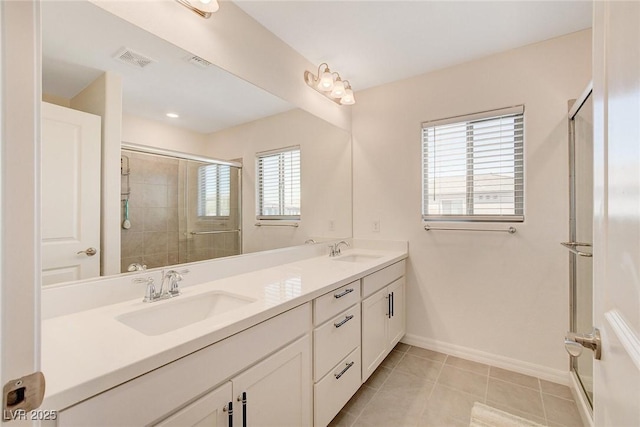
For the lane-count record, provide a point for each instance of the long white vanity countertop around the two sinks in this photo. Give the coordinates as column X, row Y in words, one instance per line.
column 90, row 351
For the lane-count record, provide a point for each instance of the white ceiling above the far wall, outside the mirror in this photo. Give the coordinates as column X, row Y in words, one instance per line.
column 376, row 42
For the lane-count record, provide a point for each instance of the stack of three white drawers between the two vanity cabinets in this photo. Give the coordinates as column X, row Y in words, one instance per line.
column 336, row 360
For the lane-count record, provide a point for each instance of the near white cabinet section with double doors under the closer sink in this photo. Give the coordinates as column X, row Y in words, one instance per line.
column 270, row 362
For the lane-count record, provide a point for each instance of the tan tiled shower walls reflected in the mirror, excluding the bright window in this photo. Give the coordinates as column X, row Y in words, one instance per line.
column 162, row 206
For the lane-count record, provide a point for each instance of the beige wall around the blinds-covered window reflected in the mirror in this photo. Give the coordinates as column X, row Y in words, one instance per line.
column 325, row 158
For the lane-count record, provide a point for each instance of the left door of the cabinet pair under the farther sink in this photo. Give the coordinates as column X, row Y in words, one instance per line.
column 375, row 319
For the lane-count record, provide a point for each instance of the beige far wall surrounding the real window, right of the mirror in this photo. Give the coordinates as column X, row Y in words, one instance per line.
column 488, row 296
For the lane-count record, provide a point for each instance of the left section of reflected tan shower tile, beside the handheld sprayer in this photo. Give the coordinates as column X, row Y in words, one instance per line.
column 153, row 238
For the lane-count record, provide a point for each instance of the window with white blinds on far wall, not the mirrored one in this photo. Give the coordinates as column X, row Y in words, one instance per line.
column 472, row 167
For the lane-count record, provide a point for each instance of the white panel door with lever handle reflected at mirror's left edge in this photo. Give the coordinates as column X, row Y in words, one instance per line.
column 70, row 194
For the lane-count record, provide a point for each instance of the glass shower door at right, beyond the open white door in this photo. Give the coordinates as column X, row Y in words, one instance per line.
column 581, row 264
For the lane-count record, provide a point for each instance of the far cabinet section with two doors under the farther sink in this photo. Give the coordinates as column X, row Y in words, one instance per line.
column 383, row 315
